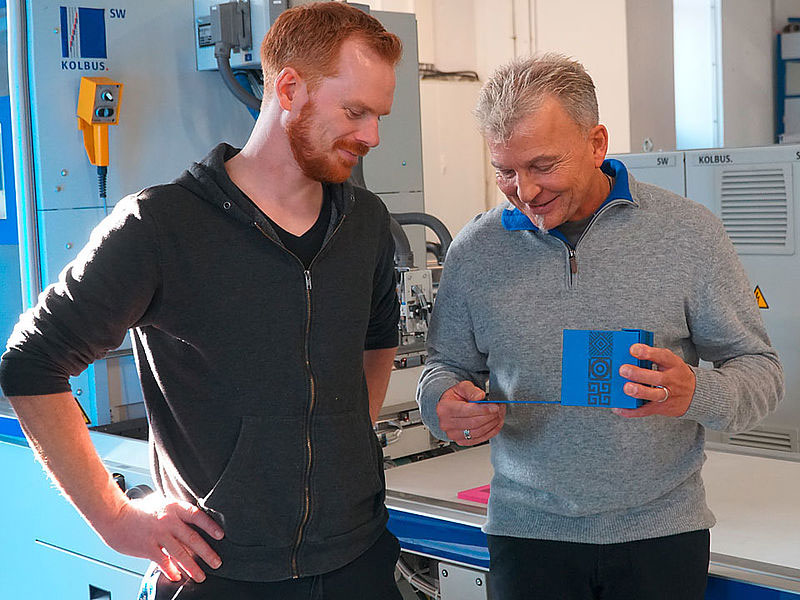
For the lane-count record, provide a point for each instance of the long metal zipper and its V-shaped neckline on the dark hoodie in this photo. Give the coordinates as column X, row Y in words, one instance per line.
column 313, row 395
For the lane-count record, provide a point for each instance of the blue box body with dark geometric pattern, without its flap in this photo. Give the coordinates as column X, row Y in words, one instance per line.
column 590, row 363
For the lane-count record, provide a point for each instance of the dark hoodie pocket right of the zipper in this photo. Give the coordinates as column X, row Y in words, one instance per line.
column 349, row 463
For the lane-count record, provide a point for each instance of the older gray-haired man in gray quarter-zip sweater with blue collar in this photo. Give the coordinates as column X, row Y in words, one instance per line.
column 590, row 503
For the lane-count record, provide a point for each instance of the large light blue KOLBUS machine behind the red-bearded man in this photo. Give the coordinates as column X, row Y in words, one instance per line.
column 72, row 61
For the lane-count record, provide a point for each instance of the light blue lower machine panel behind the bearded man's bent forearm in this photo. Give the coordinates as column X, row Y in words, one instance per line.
column 73, row 562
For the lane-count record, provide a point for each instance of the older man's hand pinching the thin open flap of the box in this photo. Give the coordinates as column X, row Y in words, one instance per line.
column 458, row 414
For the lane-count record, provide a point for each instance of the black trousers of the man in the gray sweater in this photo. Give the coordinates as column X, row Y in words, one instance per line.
column 667, row 568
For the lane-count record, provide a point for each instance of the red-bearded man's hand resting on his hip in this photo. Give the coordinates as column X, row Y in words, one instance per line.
column 163, row 535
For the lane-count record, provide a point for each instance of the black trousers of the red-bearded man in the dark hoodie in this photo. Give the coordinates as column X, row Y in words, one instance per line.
column 370, row 576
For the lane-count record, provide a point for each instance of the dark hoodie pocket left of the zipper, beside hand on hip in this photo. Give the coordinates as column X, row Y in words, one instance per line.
column 255, row 500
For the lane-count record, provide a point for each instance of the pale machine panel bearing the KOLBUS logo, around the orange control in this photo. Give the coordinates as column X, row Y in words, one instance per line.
column 170, row 114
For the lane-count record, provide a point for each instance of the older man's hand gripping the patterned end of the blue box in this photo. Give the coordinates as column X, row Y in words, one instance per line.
column 674, row 378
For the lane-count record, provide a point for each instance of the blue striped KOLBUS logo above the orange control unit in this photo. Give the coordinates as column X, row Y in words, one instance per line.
column 83, row 39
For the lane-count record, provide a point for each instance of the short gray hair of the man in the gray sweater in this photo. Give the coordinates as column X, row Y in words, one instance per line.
column 519, row 88
